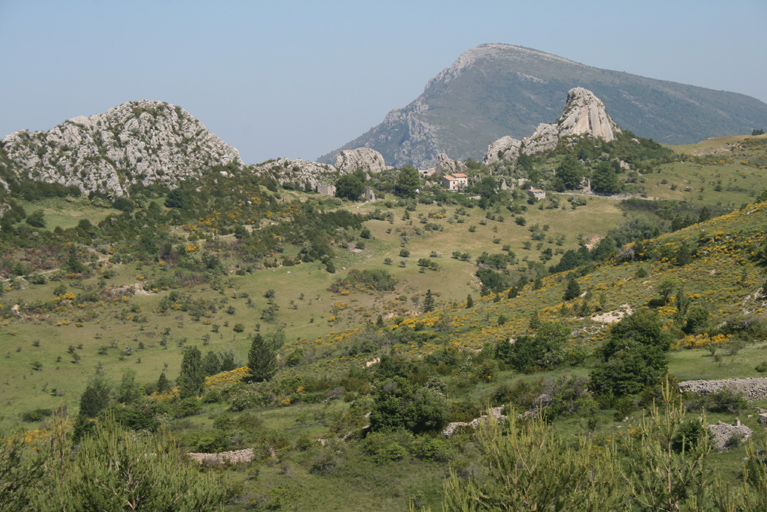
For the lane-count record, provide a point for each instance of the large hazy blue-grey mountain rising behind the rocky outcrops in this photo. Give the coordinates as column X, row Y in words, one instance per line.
column 495, row 90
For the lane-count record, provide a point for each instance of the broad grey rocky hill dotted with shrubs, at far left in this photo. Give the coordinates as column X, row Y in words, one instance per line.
column 143, row 142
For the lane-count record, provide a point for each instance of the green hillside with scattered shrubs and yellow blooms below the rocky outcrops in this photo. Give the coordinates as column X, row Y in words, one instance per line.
column 367, row 302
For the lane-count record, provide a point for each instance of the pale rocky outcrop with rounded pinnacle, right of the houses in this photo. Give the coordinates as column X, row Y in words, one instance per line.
column 584, row 115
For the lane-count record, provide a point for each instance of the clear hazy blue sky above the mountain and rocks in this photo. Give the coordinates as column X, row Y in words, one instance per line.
column 301, row 78
